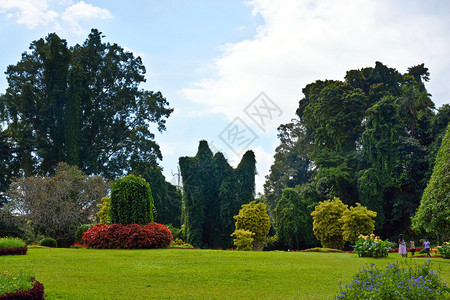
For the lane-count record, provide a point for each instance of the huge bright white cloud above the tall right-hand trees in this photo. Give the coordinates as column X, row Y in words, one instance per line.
column 302, row 41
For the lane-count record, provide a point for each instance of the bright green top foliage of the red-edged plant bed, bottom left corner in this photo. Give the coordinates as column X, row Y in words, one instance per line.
column 12, row 283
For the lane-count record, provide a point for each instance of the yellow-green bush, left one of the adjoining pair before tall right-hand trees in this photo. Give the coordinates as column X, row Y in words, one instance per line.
column 326, row 225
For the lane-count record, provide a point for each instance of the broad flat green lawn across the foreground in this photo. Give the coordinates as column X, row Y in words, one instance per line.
column 193, row 274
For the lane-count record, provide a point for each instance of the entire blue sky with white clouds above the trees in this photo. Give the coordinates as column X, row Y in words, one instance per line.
column 234, row 70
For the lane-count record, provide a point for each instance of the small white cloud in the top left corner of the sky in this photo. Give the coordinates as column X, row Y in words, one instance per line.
column 55, row 15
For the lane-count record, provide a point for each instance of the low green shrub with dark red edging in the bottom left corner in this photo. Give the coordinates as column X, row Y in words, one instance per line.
column 20, row 286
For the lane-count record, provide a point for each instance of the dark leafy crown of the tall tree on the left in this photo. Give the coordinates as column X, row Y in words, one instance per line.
column 81, row 105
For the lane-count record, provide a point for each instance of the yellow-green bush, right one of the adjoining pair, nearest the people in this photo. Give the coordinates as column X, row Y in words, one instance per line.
column 356, row 221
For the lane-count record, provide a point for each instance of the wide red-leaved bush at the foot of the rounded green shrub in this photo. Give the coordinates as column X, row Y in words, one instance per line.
column 132, row 236
